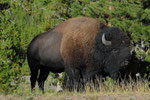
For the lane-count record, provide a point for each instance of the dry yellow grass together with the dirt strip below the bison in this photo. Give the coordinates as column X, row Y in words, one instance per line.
column 107, row 90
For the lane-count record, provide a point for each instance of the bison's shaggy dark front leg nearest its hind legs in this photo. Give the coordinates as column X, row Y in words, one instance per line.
column 72, row 79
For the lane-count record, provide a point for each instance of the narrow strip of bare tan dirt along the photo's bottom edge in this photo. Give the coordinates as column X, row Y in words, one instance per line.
column 145, row 96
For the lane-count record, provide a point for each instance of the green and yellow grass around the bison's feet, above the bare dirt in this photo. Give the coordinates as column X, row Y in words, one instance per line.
column 105, row 89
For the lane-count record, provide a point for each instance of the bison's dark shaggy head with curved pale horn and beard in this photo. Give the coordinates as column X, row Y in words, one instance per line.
column 112, row 47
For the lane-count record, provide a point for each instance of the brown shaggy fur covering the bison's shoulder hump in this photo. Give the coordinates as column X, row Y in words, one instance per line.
column 78, row 38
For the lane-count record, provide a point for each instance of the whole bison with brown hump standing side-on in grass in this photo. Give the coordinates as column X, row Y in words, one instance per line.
column 82, row 48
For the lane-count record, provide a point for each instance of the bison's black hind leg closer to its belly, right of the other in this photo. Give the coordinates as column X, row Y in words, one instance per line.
column 42, row 77
